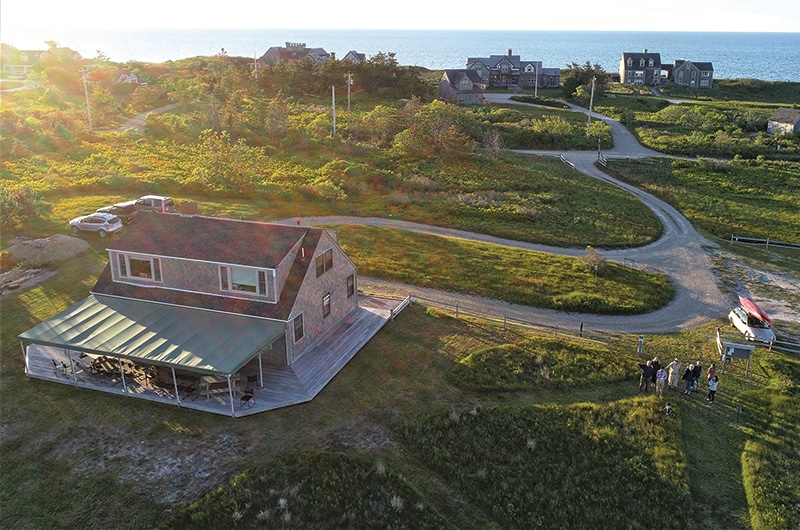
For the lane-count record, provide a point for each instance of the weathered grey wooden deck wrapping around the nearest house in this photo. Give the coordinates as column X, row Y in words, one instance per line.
column 283, row 386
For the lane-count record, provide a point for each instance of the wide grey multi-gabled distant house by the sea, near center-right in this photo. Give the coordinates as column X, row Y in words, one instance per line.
column 510, row 71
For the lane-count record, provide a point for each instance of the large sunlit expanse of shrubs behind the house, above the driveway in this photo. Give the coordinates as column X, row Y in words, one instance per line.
column 235, row 139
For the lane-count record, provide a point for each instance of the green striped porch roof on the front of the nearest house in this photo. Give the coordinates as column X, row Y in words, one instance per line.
column 180, row 337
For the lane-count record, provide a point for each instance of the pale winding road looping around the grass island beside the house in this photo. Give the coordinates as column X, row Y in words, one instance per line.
column 681, row 253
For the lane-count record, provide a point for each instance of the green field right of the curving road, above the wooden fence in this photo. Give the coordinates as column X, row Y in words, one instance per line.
column 750, row 198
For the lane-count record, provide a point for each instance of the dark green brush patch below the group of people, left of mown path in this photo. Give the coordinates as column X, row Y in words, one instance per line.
column 576, row 466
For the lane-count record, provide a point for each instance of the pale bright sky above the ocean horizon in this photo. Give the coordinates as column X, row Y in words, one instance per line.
column 613, row 15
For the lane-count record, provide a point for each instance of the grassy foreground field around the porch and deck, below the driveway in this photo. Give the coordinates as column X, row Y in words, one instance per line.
column 433, row 425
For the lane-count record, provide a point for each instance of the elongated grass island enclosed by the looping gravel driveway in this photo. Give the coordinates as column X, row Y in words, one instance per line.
column 503, row 273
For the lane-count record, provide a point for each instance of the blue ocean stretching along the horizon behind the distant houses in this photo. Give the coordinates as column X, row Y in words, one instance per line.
column 766, row 56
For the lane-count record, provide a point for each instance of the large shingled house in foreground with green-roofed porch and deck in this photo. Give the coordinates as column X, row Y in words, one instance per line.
column 199, row 312
